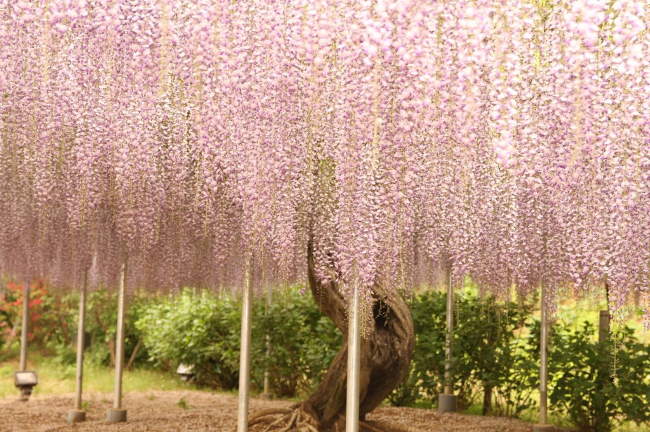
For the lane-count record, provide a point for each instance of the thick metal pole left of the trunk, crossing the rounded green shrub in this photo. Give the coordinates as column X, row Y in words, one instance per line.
column 245, row 354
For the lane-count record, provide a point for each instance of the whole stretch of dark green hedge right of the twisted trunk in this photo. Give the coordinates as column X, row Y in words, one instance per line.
column 597, row 386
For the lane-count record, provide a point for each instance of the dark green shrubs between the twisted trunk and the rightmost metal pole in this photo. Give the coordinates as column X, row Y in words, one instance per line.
column 487, row 353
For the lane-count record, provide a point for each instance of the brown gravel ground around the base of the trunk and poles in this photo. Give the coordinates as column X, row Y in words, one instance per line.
column 201, row 411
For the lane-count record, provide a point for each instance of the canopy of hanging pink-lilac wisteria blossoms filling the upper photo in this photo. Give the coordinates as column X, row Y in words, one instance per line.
column 504, row 140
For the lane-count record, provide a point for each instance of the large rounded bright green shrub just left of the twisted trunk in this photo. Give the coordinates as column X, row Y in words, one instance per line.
column 203, row 330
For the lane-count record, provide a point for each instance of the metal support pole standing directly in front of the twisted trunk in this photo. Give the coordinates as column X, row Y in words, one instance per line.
column 354, row 364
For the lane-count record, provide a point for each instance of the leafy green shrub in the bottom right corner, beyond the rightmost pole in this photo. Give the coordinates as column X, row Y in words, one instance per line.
column 599, row 384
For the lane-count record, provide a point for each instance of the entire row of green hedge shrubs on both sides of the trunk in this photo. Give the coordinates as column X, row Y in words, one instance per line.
column 496, row 351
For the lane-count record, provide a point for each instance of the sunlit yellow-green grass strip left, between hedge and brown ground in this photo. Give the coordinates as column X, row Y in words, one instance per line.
column 54, row 378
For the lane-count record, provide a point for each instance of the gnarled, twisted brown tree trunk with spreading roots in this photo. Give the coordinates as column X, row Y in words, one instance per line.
column 386, row 351
